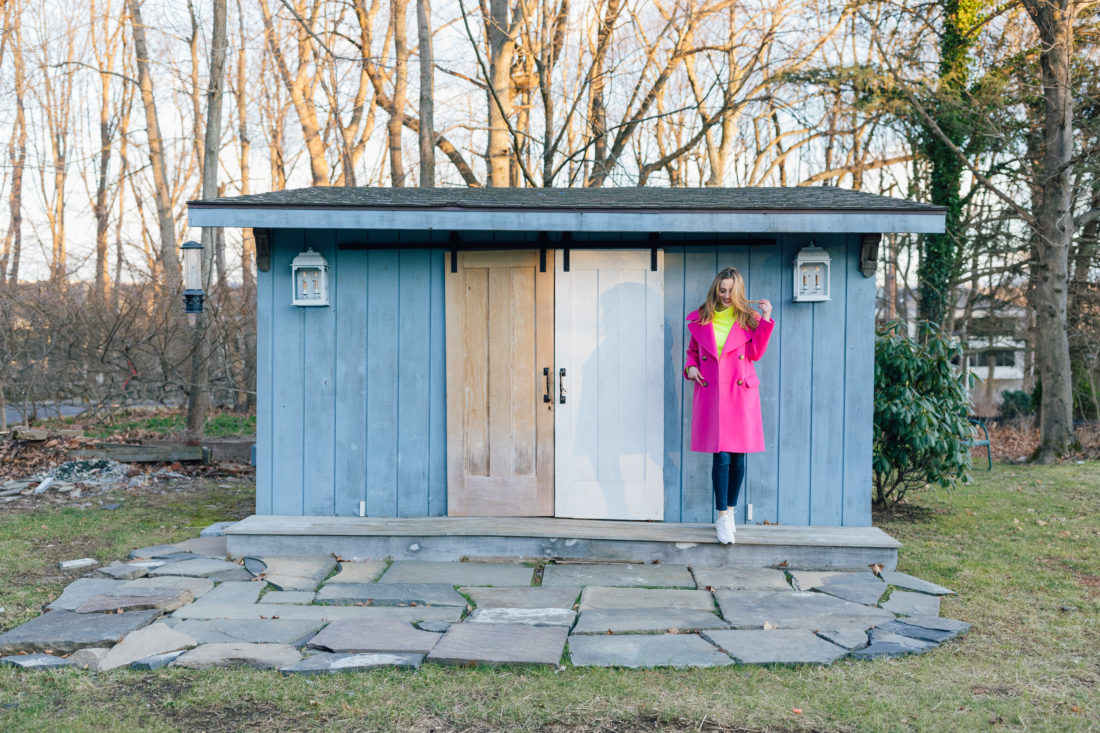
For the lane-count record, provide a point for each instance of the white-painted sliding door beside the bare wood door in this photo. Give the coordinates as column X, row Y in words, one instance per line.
column 610, row 321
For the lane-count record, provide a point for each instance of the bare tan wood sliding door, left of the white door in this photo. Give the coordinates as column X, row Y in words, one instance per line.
column 500, row 410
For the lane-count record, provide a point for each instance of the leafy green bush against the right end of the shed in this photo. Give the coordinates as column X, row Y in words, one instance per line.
column 921, row 409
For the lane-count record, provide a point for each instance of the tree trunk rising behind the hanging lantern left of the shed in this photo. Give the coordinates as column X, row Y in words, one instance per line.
column 199, row 397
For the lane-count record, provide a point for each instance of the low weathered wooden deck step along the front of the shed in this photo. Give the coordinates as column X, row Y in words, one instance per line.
column 546, row 539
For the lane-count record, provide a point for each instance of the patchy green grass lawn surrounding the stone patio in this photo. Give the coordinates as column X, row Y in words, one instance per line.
column 1019, row 546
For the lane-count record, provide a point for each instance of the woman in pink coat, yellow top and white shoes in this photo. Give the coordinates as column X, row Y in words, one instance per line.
column 727, row 337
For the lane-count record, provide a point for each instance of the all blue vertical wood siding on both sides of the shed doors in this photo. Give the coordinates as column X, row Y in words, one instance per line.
column 351, row 399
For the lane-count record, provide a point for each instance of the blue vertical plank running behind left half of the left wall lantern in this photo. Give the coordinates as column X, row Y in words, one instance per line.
column 288, row 417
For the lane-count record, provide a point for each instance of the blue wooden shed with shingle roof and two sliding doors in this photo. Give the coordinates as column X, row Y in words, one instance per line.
column 520, row 353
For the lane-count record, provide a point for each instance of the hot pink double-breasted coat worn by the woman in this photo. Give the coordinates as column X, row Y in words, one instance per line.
column 727, row 412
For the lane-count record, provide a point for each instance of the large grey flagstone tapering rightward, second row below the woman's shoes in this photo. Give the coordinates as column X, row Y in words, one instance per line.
column 797, row 610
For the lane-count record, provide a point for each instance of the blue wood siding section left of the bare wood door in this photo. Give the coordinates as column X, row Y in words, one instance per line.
column 351, row 398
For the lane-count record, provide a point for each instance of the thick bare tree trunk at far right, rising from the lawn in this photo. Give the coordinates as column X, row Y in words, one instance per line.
column 1054, row 19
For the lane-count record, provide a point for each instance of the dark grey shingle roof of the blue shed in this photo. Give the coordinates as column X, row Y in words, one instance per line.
column 592, row 200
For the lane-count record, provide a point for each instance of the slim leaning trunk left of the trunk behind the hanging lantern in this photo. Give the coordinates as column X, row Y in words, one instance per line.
column 170, row 262
